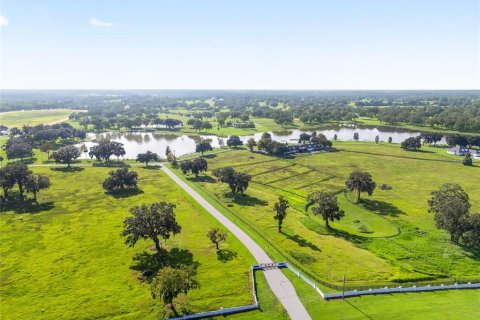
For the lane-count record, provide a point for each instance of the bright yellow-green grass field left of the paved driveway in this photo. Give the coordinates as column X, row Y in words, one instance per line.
column 68, row 261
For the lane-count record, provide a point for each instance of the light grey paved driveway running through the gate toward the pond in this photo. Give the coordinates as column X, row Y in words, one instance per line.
column 278, row 282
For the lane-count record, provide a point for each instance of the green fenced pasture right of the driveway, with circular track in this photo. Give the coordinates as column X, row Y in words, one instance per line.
column 399, row 241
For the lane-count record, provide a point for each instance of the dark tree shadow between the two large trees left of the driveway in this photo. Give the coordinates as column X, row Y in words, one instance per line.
column 150, row 263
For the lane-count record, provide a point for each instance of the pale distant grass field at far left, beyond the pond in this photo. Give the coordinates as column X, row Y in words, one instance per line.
column 34, row 117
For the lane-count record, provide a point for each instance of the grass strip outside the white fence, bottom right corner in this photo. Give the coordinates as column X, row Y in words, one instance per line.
column 448, row 305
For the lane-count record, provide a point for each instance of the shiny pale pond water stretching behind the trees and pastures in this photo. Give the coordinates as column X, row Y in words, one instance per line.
column 140, row 142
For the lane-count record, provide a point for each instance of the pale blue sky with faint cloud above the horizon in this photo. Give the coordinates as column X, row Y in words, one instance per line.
column 214, row 44
